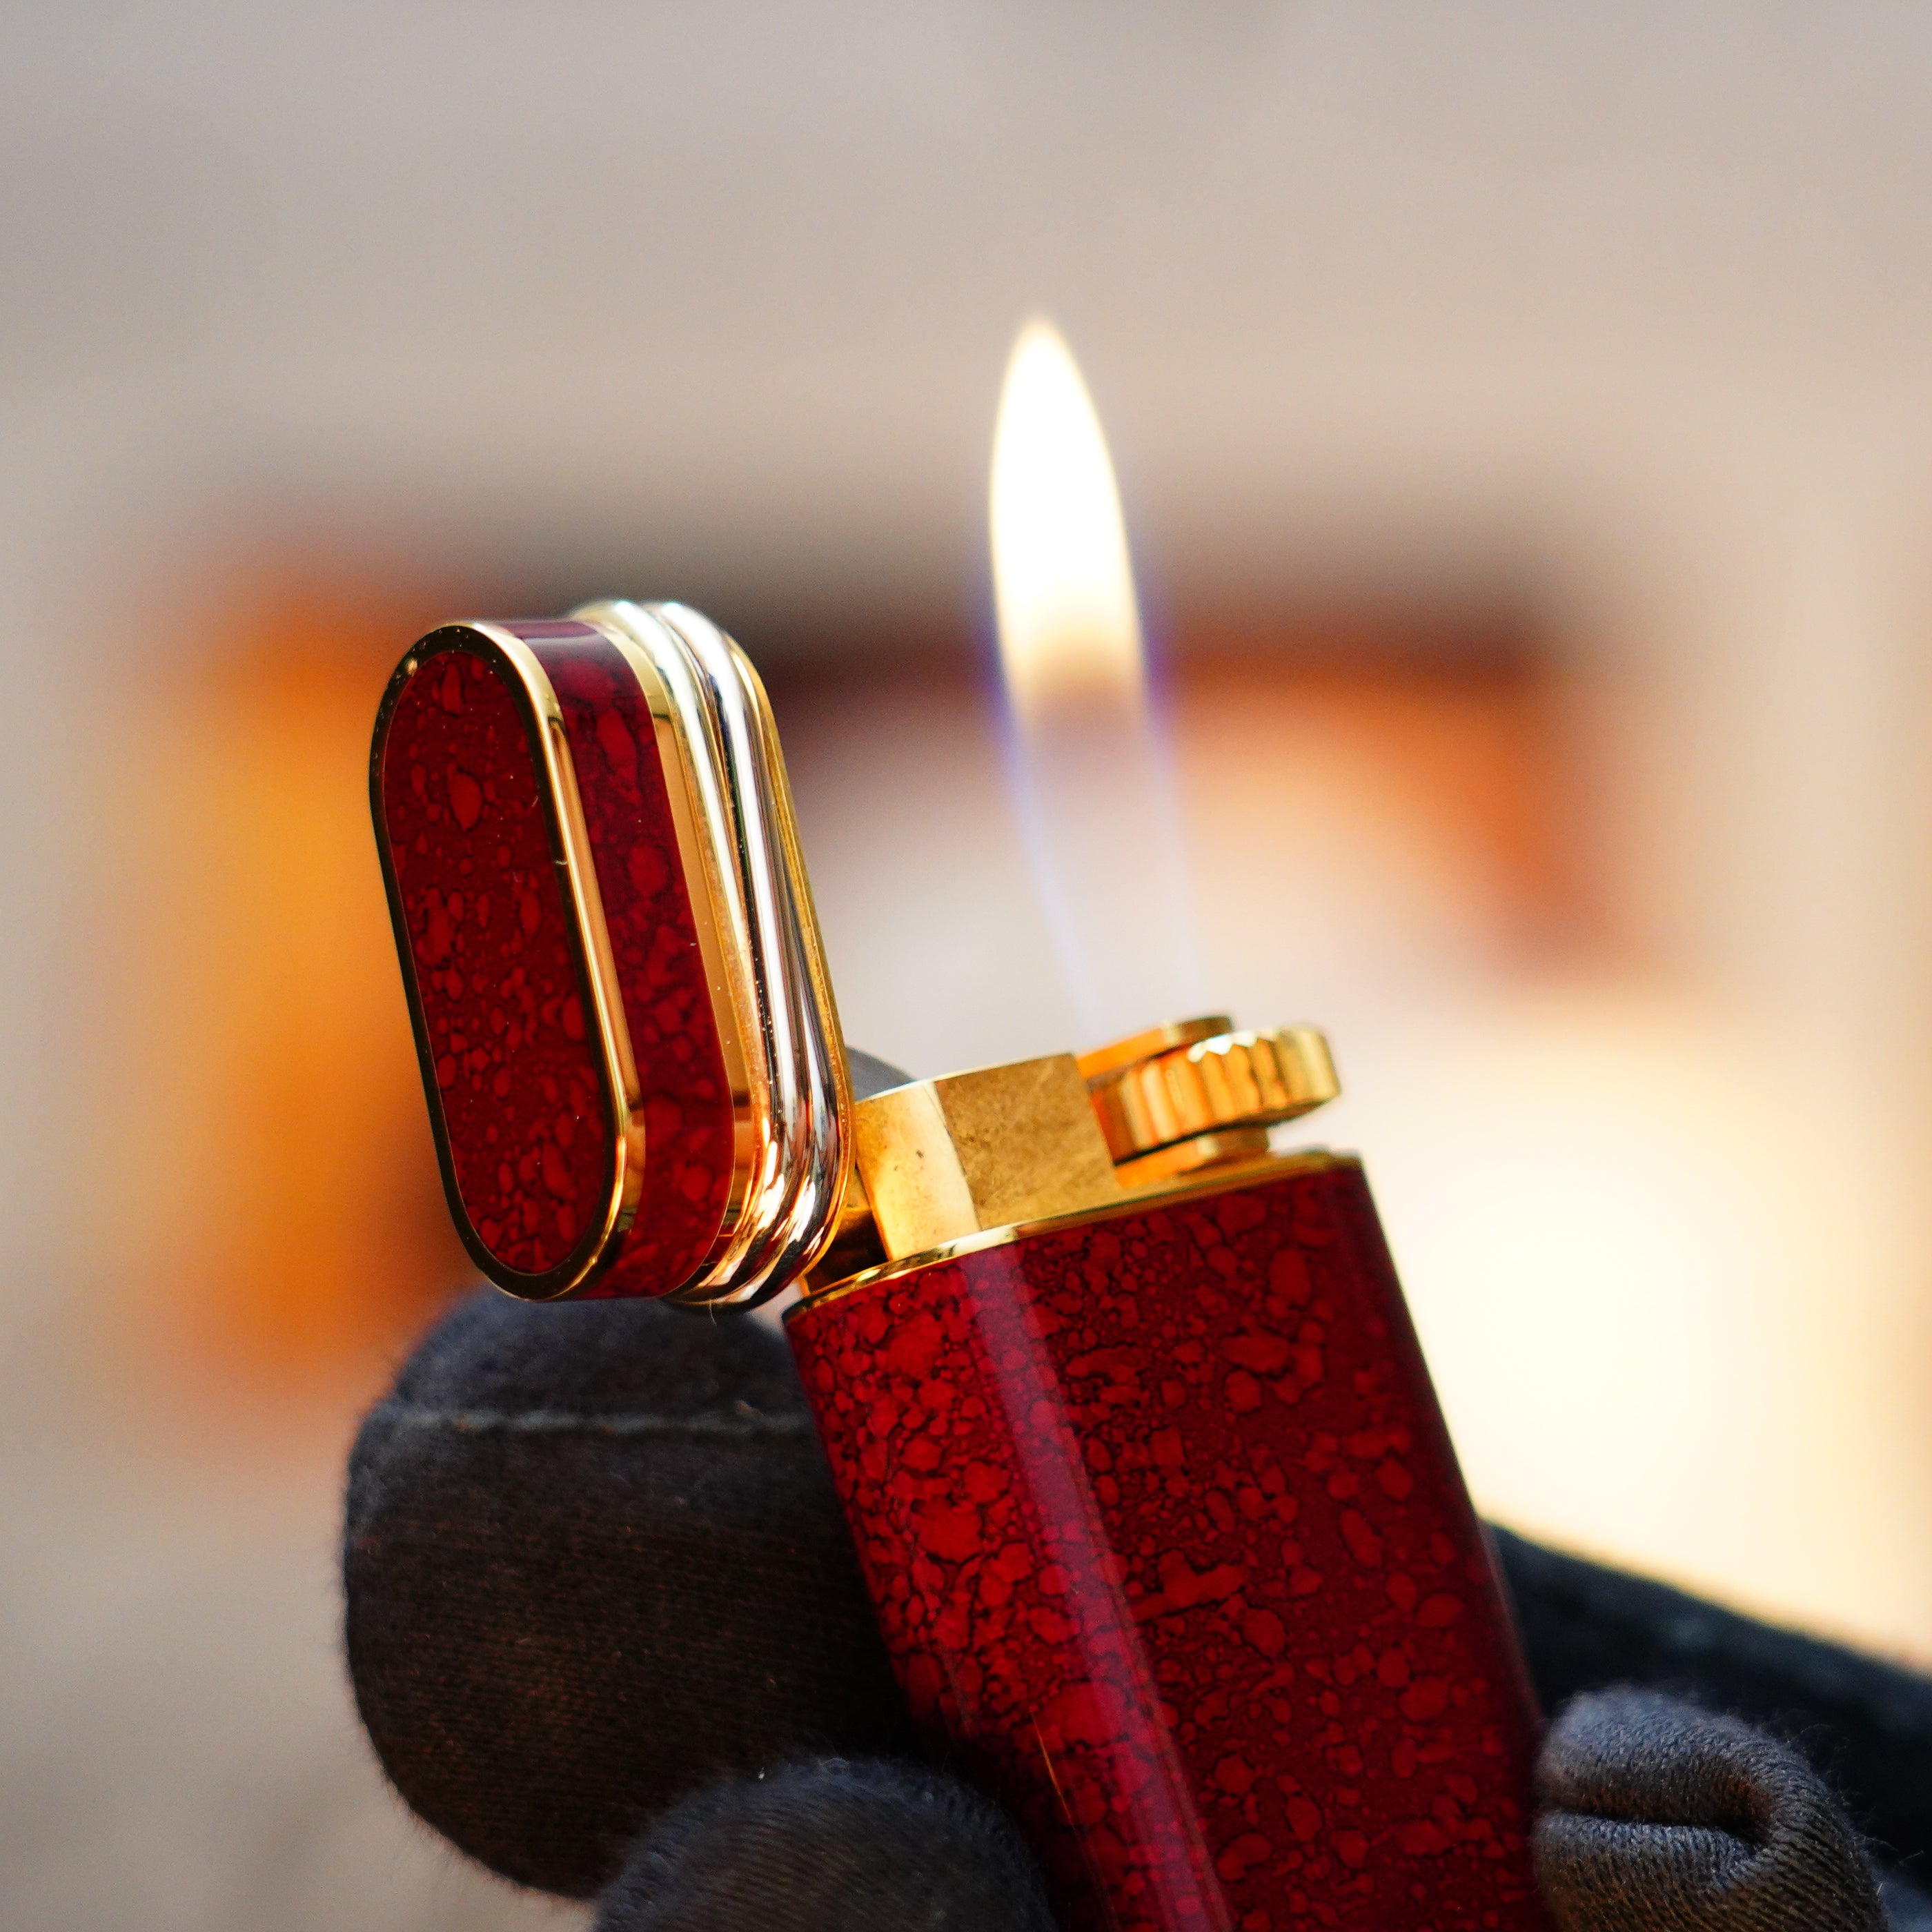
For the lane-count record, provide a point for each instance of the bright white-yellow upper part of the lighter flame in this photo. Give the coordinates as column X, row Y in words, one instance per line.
column 1069, row 631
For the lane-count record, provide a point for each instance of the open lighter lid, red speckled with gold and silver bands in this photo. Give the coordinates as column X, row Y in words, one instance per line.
column 621, row 1006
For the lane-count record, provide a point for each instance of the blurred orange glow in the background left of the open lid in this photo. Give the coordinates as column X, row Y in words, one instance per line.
column 285, row 1226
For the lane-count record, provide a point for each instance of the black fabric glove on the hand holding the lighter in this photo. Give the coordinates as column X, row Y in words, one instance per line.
column 608, row 1635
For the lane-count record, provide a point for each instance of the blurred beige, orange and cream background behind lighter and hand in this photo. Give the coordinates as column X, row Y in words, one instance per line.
column 1525, row 422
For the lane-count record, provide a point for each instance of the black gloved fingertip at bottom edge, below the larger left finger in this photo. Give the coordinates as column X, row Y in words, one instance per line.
column 830, row 1848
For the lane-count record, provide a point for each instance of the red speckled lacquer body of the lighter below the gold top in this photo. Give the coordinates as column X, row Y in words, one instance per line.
column 1170, row 1541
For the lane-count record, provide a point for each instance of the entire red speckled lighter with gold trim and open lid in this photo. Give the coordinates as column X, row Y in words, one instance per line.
column 1131, row 1429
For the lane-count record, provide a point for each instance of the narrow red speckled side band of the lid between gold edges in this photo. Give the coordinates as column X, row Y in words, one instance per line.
column 654, row 942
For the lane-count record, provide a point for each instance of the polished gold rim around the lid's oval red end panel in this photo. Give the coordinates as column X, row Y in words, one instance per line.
column 590, row 946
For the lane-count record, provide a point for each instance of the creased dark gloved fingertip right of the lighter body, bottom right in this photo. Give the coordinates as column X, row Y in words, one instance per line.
column 1661, row 1817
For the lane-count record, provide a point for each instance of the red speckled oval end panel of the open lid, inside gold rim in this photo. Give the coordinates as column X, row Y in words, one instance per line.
column 517, row 1079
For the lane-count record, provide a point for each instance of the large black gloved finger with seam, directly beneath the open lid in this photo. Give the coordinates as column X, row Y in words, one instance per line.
column 594, row 1562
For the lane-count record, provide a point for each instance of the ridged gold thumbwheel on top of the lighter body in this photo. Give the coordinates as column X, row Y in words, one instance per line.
column 1203, row 1093
